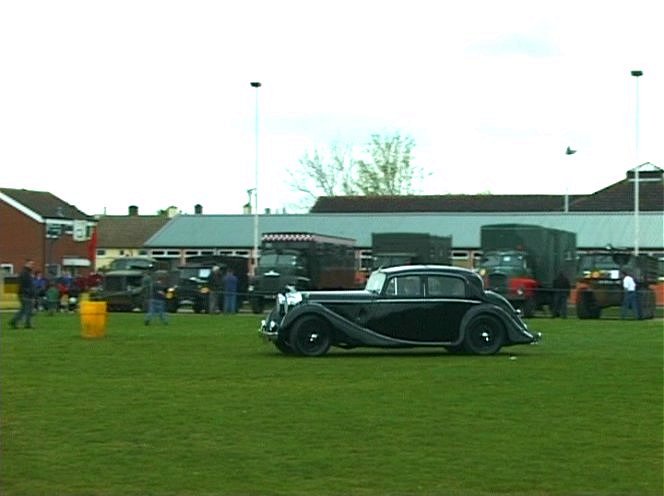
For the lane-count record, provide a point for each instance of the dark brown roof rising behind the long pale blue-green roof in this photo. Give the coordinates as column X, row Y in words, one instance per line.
column 618, row 197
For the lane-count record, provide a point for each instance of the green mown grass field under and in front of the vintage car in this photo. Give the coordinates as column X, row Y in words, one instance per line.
column 203, row 407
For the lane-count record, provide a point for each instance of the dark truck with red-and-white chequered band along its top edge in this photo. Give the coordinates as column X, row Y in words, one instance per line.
column 302, row 260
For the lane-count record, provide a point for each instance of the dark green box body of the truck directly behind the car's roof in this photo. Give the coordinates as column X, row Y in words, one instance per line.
column 409, row 248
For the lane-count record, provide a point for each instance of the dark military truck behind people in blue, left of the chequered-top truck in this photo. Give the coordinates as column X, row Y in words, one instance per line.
column 191, row 286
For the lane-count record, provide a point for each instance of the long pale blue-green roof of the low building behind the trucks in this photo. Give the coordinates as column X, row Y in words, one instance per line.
column 593, row 229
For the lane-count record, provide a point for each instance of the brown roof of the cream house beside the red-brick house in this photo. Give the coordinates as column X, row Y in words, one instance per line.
column 127, row 231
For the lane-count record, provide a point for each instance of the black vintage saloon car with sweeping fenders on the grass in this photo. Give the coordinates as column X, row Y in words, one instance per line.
column 400, row 307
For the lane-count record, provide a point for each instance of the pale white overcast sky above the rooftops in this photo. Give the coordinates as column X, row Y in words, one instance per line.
column 148, row 103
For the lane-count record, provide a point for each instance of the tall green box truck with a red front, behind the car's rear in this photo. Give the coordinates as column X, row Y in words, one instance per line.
column 521, row 262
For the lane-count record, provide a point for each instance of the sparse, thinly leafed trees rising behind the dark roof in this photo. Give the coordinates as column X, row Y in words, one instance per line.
column 385, row 169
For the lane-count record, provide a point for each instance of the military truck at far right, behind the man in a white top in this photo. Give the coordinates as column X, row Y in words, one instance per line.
column 599, row 281
